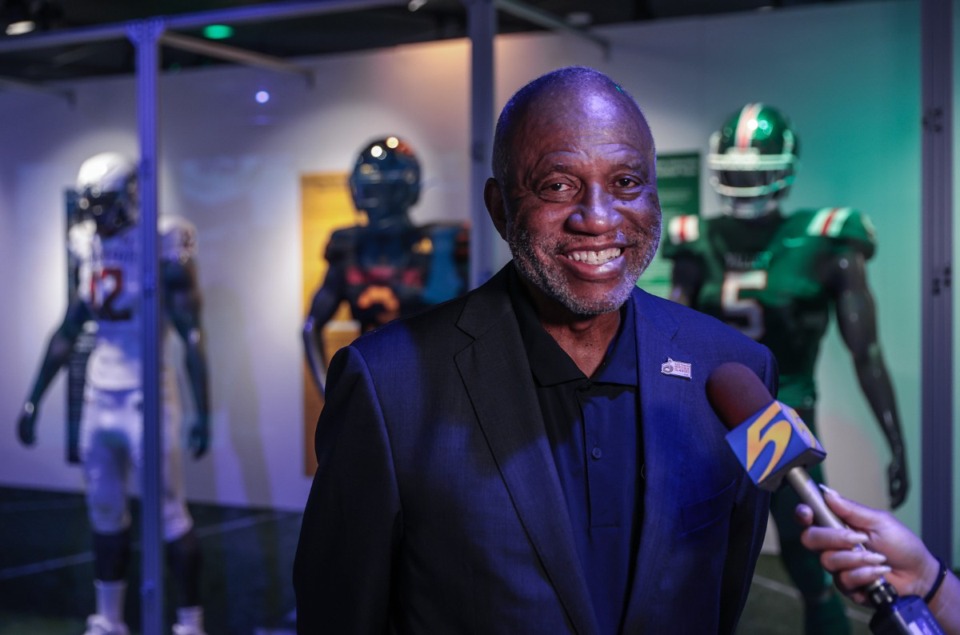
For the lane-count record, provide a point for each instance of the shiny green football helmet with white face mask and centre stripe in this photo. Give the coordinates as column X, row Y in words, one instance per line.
column 753, row 160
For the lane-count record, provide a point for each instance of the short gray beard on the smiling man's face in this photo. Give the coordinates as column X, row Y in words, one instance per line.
column 552, row 283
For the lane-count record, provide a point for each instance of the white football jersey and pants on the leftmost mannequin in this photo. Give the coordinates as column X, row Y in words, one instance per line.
column 111, row 428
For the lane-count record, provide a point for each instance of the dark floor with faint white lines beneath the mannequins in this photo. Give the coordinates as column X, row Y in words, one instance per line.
column 46, row 571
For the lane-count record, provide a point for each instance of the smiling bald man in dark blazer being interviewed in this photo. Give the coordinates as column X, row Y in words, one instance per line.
column 539, row 456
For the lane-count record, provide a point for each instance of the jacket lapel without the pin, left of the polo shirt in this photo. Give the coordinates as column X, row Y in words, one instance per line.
column 501, row 389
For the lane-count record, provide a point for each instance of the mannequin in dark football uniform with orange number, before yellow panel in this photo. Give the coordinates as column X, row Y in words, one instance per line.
column 387, row 267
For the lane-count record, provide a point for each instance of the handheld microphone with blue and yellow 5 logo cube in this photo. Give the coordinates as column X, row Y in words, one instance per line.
column 773, row 444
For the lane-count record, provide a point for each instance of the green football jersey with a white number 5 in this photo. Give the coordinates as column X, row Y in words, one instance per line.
column 769, row 277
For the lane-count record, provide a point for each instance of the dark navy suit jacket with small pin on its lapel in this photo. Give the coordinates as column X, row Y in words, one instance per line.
column 436, row 507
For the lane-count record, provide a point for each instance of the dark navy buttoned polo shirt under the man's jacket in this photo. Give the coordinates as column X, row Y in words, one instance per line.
column 593, row 424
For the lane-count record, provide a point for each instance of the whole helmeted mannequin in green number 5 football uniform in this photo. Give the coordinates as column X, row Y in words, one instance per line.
column 778, row 278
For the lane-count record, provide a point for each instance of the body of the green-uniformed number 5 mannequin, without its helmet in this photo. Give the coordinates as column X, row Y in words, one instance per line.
column 778, row 279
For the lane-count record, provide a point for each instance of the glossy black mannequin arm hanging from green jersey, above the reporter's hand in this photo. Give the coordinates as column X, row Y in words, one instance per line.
column 856, row 318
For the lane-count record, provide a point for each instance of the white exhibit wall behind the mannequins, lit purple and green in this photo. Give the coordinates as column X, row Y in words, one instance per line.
column 847, row 75
